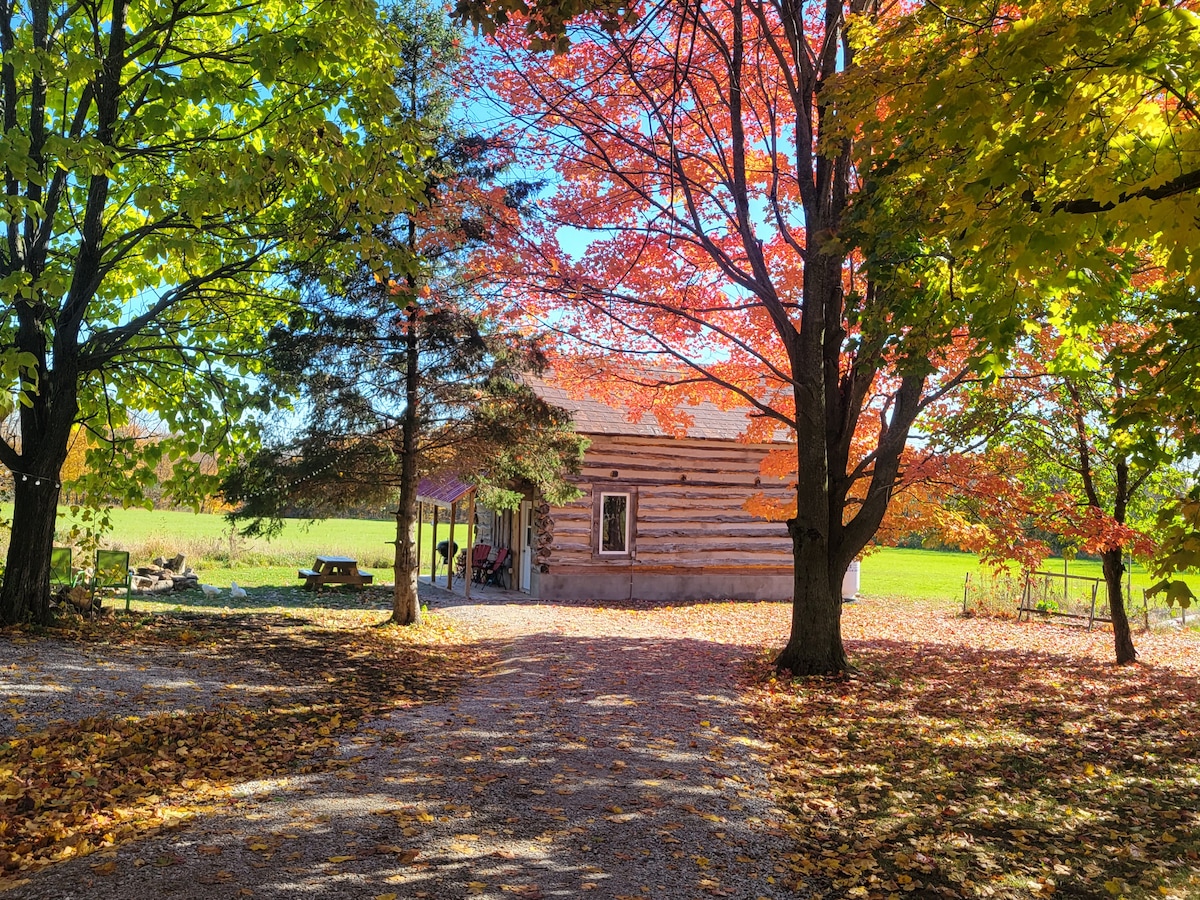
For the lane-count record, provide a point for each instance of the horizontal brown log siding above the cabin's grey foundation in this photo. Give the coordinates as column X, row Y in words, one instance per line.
column 694, row 524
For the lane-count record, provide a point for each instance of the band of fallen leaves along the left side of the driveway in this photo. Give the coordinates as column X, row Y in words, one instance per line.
column 76, row 788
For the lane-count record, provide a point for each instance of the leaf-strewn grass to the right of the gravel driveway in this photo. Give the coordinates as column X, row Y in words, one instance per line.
column 969, row 759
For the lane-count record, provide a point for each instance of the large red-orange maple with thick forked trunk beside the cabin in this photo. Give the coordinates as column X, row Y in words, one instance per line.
column 697, row 153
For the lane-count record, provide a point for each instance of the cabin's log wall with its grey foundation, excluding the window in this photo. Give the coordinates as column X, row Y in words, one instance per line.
column 689, row 535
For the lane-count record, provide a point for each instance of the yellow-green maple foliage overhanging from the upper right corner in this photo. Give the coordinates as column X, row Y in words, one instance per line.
column 1045, row 143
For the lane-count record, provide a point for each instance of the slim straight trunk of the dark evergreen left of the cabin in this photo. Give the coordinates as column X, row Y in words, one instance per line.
column 406, row 604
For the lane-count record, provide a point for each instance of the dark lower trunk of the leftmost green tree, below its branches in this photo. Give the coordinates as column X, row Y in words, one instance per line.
column 26, row 595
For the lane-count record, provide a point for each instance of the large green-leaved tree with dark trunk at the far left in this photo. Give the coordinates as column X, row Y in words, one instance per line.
column 163, row 166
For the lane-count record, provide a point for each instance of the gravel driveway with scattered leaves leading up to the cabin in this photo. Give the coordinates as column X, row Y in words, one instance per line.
column 599, row 759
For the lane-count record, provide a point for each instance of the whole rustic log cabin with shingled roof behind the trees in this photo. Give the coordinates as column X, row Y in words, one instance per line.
column 661, row 518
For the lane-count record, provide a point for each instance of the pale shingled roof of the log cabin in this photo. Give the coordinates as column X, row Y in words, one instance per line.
column 593, row 416
